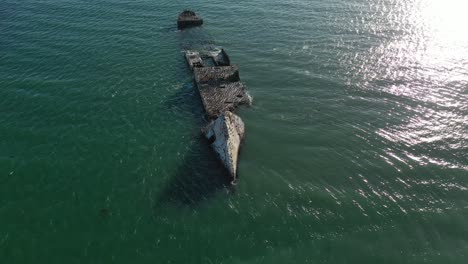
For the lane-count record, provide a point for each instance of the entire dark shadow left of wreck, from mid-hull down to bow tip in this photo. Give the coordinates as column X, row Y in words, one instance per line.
column 201, row 174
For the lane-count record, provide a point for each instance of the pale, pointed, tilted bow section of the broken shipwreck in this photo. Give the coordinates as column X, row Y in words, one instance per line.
column 225, row 135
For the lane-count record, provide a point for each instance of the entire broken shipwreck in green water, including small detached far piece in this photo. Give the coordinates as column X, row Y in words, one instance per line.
column 221, row 92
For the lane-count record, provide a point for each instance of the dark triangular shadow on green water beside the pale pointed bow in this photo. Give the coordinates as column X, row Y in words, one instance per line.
column 199, row 177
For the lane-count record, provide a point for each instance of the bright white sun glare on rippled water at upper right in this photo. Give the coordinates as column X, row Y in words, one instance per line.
column 424, row 66
